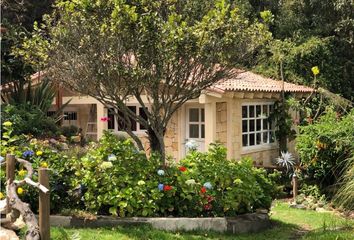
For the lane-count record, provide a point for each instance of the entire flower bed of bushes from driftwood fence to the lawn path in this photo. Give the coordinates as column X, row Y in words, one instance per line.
column 113, row 177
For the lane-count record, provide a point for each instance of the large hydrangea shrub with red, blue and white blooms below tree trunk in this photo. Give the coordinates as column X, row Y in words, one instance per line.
column 122, row 181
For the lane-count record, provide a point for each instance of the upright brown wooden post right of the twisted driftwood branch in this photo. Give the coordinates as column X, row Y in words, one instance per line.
column 44, row 207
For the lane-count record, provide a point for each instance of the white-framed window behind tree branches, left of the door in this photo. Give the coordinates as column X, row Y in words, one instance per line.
column 119, row 124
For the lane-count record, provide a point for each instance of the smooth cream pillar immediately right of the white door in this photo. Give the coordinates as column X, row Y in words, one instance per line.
column 210, row 123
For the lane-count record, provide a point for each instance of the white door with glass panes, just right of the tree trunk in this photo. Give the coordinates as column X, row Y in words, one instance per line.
column 195, row 126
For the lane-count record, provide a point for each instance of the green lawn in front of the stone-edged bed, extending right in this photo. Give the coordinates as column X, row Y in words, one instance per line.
column 287, row 224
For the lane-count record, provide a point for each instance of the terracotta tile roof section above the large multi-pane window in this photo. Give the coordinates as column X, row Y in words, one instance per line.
column 248, row 81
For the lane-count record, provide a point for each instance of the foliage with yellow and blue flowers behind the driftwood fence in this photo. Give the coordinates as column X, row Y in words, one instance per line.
column 42, row 152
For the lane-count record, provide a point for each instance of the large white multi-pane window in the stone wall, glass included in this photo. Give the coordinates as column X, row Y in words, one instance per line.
column 256, row 126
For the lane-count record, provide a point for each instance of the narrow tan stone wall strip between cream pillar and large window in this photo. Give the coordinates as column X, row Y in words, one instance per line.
column 221, row 123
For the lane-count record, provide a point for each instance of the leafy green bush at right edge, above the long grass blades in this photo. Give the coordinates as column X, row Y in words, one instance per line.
column 325, row 145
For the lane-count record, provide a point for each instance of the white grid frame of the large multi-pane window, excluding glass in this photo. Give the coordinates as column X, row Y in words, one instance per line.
column 270, row 130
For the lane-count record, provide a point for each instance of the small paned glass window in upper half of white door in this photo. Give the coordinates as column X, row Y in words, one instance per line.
column 196, row 123
